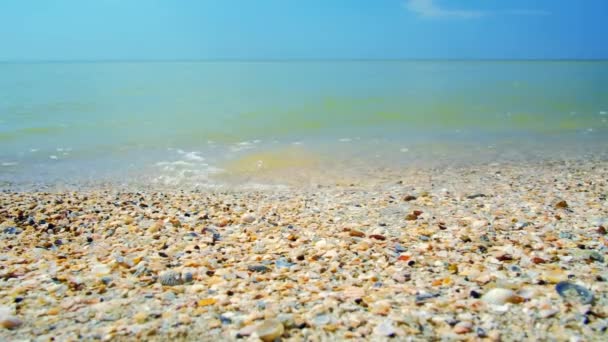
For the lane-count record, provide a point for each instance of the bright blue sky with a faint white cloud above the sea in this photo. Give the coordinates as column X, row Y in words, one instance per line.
column 34, row 30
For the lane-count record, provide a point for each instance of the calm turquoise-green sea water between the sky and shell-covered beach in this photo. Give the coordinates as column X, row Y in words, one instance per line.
column 175, row 122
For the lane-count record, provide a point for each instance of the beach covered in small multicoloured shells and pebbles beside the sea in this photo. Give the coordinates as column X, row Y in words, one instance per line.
column 492, row 252
